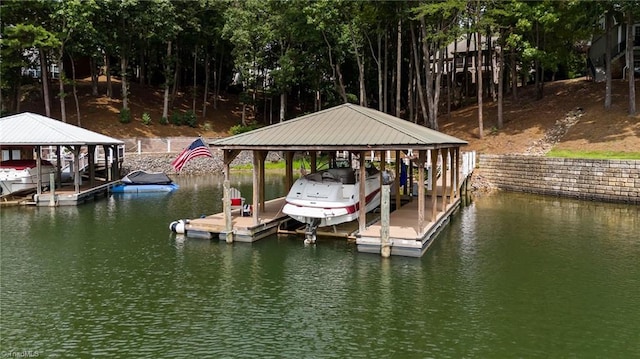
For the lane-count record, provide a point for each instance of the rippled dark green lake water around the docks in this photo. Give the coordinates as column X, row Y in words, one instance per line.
column 513, row 275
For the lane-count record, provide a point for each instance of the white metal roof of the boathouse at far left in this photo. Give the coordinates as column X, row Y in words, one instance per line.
column 30, row 129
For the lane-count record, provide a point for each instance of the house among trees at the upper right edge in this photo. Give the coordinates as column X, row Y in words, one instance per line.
column 596, row 55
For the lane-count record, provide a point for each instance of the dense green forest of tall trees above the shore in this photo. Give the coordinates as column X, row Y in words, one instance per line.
column 412, row 59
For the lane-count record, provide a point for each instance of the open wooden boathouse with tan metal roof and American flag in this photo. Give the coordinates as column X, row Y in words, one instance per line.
column 407, row 231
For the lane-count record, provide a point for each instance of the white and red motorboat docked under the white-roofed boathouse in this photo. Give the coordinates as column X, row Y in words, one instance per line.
column 22, row 175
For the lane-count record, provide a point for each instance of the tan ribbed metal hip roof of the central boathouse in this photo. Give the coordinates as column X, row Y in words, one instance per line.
column 347, row 126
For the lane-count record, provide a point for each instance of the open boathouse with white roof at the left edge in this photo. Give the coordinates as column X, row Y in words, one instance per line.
column 27, row 134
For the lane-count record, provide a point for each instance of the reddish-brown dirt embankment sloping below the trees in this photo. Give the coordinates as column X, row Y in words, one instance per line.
column 570, row 116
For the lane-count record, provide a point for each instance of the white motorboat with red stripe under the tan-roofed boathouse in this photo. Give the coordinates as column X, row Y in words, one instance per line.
column 331, row 197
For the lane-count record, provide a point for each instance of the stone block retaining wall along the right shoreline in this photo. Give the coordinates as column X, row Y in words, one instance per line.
column 602, row 180
